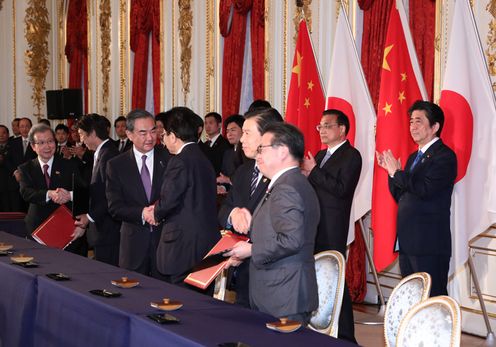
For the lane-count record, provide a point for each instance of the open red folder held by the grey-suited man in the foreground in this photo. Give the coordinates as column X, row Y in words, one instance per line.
column 203, row 278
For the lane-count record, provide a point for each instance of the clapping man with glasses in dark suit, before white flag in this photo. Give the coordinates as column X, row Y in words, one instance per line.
column 334, row 174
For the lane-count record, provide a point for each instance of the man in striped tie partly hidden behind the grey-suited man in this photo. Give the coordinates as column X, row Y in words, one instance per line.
column 248, row 187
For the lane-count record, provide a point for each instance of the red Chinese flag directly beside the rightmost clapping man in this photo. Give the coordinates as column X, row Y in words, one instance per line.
column 401, row 85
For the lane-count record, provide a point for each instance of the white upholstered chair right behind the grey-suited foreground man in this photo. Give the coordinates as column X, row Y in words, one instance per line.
column 330, row 270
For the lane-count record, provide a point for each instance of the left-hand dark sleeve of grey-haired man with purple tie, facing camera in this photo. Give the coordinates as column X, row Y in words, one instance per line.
column 118, row 206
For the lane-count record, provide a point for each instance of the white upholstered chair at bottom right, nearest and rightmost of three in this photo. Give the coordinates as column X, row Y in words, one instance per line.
column 434, row 322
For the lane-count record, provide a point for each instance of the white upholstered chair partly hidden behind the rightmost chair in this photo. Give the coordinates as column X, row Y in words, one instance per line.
column 409, row 292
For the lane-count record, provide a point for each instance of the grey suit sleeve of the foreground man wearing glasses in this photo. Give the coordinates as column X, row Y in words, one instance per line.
column 287, row 218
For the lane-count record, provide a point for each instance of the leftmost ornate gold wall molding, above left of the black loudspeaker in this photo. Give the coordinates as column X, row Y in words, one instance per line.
column 37, row 29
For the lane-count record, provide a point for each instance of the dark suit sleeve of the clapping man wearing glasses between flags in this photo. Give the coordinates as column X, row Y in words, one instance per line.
column 338, row 183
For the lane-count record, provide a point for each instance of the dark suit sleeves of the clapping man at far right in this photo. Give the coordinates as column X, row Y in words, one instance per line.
column 429, row 181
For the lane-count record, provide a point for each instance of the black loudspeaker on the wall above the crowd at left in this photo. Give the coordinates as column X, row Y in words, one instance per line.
column 64, row 103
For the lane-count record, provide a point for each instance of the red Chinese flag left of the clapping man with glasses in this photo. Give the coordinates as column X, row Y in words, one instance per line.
column 306, row 99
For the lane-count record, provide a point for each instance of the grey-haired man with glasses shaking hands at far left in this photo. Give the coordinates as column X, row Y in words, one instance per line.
column 49, row 181
